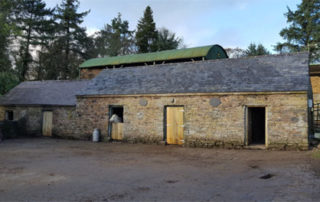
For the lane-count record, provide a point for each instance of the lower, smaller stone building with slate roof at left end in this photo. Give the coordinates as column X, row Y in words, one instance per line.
column 46, row 107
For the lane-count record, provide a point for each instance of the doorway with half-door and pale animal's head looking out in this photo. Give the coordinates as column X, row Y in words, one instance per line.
column 115, row 123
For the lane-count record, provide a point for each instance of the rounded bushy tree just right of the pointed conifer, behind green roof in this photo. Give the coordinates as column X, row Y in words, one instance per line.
column 167, row 40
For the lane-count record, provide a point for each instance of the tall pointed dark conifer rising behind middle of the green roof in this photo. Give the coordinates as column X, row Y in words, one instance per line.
column 146, row 35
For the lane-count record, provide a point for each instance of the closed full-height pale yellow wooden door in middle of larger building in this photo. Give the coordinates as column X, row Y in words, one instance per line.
column 175, row 125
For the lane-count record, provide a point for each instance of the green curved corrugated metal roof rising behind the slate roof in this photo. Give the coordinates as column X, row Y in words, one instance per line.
column 209, row 52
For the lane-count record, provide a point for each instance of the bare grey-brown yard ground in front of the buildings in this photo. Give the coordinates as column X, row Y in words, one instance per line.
column 64, row 170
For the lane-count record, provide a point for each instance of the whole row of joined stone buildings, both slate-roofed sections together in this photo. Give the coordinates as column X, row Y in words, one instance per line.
column 228, row 103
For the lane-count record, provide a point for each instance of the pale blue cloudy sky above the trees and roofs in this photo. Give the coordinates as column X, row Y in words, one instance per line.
column 229, row 23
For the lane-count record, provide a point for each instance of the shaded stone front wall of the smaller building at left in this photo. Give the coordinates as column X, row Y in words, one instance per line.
column 63, row 119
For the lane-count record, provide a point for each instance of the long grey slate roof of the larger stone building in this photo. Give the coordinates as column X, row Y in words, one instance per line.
column 274, row 73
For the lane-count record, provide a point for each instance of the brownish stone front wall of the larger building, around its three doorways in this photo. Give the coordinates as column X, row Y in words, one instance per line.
column 205, row 125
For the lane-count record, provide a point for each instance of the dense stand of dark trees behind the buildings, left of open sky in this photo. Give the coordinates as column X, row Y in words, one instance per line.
column 39, row 43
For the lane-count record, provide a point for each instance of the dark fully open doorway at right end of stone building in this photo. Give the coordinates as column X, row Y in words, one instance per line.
column 256, row 125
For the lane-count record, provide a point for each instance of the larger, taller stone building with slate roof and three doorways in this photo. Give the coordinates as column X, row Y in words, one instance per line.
column 227, row 102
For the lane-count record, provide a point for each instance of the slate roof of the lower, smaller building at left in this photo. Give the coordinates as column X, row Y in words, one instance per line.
column 58, row 93
